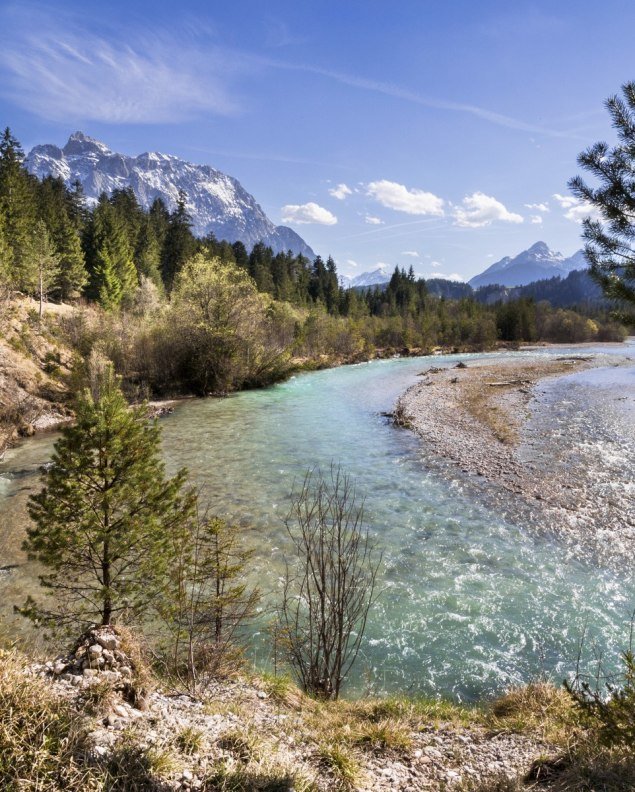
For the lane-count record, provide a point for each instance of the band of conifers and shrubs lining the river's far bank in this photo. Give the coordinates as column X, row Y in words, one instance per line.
column 177, row 313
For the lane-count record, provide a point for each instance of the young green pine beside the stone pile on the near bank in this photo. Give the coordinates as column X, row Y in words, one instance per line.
column 103, row 523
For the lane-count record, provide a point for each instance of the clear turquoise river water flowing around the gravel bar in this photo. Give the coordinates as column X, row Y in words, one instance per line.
column 472, row 601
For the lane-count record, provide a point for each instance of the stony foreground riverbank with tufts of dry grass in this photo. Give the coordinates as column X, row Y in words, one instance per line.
column 251, row 732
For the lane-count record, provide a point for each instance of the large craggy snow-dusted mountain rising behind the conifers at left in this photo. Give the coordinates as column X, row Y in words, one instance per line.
column 216, row 202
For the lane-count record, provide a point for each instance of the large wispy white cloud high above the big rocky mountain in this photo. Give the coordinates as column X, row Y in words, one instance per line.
column 62, row 71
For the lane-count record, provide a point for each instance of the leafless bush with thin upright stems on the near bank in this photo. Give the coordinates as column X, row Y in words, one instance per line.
column 330, row 586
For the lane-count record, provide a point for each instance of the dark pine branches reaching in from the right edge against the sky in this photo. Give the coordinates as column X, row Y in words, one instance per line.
column 610, row 241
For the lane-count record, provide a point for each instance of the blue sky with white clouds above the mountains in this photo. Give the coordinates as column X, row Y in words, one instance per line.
column 434, row 134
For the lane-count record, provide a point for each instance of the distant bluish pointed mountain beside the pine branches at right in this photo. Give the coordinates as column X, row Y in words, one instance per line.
column 537, row 263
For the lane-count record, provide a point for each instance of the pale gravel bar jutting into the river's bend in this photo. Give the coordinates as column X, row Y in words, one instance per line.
column 482, row 424
